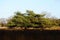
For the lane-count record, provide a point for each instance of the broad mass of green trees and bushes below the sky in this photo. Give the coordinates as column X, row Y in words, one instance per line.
column 30, row 19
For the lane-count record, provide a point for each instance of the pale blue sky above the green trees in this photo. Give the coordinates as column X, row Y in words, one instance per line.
column 8, row 7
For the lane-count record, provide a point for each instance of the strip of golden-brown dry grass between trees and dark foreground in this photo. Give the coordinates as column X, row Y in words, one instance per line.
column 52, row 28
